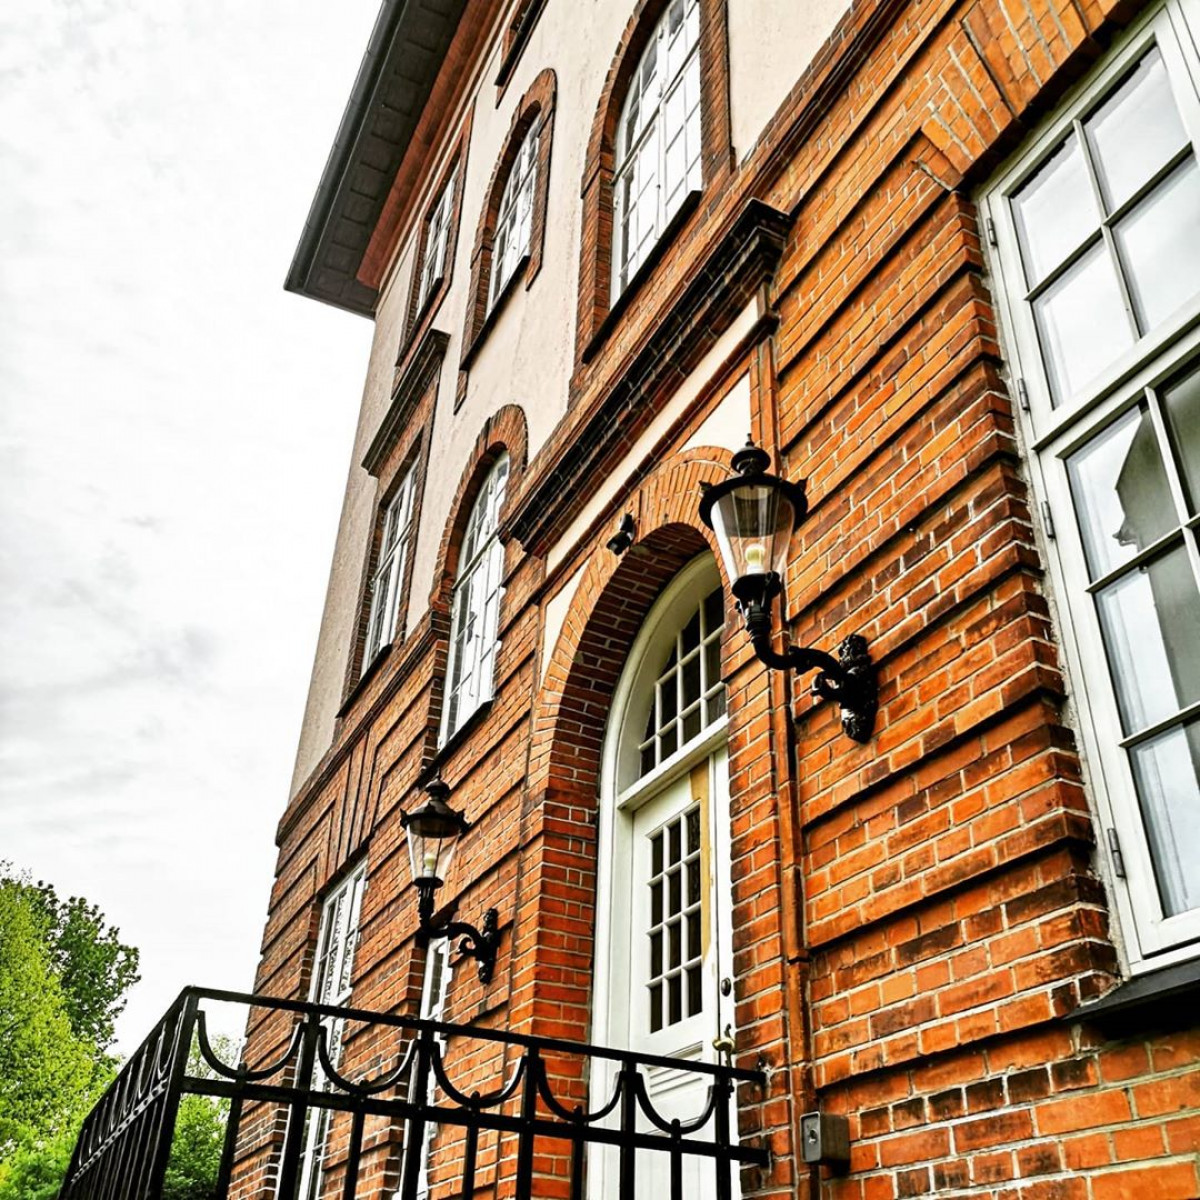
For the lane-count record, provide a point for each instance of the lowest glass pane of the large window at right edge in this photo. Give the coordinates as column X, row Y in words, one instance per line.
column 1168, row 773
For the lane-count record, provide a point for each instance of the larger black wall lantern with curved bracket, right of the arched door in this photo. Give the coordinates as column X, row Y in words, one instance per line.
column 754, row 517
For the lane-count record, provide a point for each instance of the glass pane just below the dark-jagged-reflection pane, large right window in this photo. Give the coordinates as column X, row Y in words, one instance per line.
column 1150, row 620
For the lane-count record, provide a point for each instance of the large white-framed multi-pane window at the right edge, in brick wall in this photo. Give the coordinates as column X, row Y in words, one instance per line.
column 1099, row 233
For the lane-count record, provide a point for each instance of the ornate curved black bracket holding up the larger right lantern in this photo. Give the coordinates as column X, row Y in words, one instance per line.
column 848, row 680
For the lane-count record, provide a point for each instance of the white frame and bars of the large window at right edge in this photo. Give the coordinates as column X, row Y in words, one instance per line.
column 1052, row 434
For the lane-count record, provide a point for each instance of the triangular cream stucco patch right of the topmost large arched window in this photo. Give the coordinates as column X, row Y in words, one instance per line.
column 771, row 44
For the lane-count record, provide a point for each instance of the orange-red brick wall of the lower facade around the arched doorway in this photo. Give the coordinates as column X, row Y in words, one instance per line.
column 917, row 919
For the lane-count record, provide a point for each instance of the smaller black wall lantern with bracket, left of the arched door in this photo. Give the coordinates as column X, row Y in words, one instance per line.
column 434, row 832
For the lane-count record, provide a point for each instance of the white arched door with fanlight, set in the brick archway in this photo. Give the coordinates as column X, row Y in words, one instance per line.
column 664, row 958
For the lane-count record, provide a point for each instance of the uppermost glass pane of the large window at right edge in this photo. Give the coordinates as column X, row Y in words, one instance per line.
column 1136, row 131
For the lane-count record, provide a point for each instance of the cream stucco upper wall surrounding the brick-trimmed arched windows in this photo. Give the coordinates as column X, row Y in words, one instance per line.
column 527, row 356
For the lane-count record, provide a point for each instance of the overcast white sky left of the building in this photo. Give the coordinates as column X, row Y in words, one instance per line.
column 175, row 439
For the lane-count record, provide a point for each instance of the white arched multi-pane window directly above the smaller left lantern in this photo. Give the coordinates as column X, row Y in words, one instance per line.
column 476, row 609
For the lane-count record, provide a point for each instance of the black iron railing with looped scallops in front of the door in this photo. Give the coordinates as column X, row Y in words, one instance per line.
column 125, row 1144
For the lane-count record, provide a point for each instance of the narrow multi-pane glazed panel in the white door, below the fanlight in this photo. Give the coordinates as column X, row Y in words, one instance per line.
column 675, row 934
